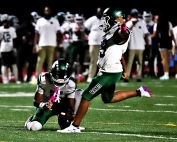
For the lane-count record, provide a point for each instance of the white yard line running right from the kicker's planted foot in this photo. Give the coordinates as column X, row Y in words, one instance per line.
column 132, row 135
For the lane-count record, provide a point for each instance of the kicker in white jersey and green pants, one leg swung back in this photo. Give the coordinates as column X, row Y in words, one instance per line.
column 114, row 45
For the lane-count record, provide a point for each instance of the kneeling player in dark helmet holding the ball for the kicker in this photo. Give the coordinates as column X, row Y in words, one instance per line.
column 56, row 94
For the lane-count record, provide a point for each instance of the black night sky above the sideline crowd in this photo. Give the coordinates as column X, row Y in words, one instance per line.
column 87, row 7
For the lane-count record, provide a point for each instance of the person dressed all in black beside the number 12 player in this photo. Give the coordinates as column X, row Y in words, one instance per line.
column 26, row 60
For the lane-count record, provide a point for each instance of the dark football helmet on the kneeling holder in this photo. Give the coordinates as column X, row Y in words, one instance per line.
column 60, row 73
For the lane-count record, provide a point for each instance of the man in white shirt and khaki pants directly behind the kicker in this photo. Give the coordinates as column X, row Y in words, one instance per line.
column 94, row 41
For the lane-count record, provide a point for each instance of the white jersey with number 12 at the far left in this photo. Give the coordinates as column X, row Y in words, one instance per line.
column 6, row 37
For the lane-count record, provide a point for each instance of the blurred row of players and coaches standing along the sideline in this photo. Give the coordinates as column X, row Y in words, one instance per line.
column 39, row 40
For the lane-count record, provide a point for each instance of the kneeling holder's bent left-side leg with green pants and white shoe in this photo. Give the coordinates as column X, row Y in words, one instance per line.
column 36, row 122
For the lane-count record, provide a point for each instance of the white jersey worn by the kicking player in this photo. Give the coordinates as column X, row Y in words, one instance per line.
column 110, row 61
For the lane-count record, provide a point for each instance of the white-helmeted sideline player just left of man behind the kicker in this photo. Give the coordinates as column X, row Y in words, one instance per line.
column 76, row 49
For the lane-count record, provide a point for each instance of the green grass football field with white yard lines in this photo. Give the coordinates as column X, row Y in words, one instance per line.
column 136, row 119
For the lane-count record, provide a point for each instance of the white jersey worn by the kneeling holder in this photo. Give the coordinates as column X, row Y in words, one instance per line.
column 46, row 87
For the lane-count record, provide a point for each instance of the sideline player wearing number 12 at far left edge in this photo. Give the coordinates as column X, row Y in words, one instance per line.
column 8, row 48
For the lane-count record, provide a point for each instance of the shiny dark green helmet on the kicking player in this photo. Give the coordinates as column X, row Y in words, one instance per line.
column 109, row 18
